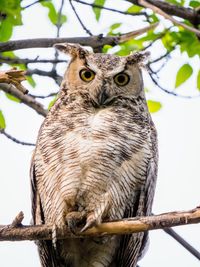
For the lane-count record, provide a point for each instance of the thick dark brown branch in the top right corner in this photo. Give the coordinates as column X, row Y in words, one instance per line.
column 189, row 14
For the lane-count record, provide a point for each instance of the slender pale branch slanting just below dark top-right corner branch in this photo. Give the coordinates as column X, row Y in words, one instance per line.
column 165, row 15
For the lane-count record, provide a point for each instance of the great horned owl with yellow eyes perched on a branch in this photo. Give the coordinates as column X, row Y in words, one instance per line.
column 95, row 159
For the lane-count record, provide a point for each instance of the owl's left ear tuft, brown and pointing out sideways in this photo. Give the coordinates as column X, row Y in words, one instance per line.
column 74, row 50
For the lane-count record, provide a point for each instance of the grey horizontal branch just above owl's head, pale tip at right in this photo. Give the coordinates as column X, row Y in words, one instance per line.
column 93, row 41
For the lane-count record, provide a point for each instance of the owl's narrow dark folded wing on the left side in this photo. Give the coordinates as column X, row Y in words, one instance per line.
column 48, row 255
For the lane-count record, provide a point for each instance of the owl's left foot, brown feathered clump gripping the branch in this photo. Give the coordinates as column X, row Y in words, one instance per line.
column 75, row 219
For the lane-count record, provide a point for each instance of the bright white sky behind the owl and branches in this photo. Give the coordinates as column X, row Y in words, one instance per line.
column 178, row 129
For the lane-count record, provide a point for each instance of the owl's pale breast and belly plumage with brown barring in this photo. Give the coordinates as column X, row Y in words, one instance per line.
column 93, row 161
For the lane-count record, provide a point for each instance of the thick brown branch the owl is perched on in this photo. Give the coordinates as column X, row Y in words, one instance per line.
column 126, row 226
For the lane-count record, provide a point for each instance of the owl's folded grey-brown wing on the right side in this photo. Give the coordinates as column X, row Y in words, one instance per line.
column 132, row 246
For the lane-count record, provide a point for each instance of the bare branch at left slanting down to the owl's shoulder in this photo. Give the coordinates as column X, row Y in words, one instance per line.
column 26, row 99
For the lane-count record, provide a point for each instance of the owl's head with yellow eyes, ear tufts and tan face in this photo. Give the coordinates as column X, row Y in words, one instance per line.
column 103, row 76
